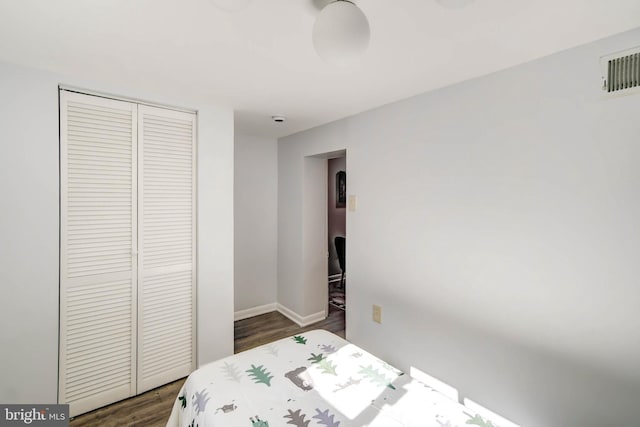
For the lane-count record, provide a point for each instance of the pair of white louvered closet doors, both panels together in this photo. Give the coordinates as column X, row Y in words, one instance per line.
column 127, row 184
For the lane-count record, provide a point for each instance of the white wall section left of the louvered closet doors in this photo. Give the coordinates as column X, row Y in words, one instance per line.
column 29, row 226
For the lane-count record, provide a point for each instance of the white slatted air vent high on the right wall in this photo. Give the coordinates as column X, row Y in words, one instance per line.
column 621, row 72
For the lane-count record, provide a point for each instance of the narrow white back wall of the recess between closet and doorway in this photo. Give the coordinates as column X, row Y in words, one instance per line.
column 256, row 221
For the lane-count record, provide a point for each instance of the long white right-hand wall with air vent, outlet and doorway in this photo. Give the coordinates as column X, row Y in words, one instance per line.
column 497, row 226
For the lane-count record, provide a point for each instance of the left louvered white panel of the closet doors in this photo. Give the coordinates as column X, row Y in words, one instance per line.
column 98, row 269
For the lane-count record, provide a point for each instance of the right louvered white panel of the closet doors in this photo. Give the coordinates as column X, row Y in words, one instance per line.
column 166, row 270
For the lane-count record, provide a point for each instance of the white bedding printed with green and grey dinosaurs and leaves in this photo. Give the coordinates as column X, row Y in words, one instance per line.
column 315, row 379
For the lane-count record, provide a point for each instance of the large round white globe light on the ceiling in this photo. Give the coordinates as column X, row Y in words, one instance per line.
column 341, row 32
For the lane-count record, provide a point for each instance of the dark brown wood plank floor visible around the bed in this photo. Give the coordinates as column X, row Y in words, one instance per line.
column 153, row 407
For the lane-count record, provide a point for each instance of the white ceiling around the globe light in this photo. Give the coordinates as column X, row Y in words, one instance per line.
column 260, row 60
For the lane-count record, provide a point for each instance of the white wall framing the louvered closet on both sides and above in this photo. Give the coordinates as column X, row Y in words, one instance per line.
column 29, row 227
